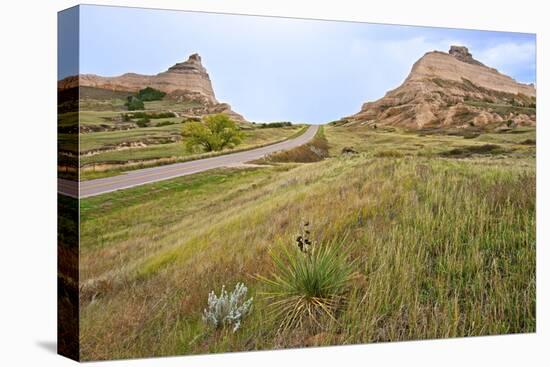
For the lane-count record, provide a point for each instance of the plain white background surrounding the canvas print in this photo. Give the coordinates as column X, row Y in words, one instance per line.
column 28, row 182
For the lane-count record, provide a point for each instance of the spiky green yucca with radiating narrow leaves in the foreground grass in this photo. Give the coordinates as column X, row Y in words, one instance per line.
column 306, row 289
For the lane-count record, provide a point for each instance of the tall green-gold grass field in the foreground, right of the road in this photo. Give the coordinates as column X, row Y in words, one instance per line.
column 439, row 246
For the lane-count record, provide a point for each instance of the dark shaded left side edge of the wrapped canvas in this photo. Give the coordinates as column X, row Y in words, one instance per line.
column 67, row 198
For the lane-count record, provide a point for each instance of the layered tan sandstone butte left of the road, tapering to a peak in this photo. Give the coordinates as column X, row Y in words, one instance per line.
column 186, row 80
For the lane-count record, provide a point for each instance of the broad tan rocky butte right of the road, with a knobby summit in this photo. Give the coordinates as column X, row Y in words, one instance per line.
column 452, row 90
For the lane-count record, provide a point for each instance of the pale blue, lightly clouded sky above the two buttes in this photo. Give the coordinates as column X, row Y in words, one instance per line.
column 283, row 69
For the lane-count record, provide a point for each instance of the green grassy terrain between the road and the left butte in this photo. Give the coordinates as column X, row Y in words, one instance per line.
column 114, row 140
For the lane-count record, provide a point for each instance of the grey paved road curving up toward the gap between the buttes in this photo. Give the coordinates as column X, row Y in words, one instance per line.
column 148, row 175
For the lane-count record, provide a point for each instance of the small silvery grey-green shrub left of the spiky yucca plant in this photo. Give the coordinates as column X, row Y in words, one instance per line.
column 229, row 309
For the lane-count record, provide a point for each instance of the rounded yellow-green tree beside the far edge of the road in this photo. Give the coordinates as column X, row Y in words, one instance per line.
column 214, row 132
